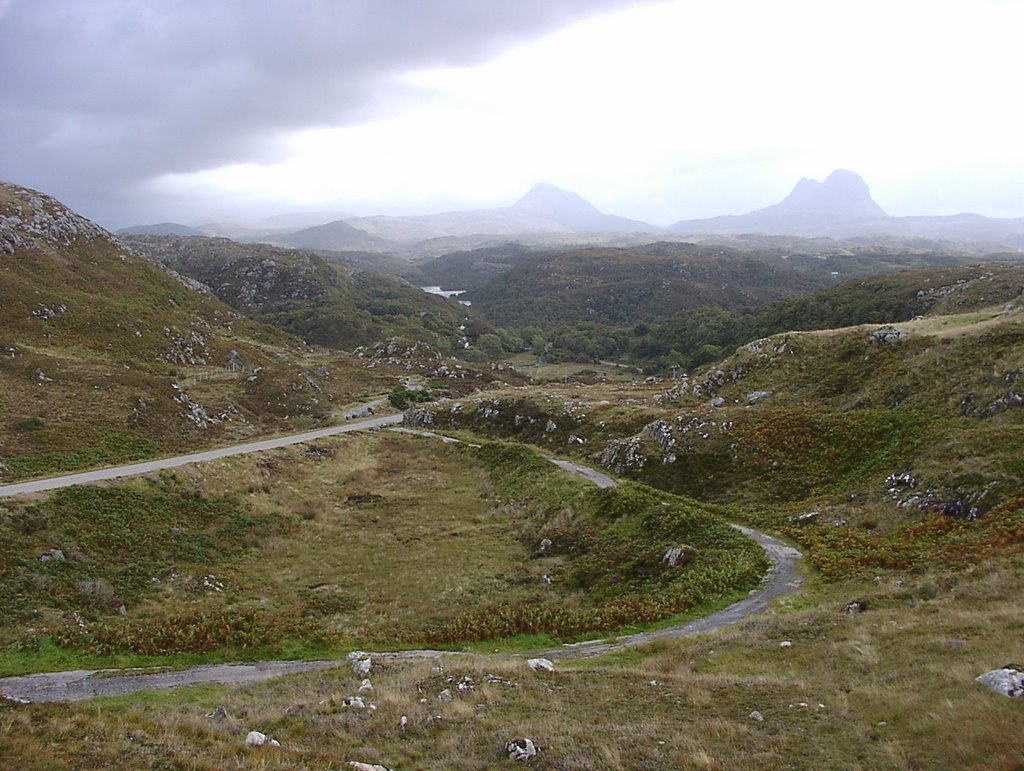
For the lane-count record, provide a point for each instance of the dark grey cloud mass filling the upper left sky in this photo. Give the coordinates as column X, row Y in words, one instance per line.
column 99, row 97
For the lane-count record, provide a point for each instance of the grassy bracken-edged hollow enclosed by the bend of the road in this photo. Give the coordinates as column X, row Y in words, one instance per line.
column 320, row 549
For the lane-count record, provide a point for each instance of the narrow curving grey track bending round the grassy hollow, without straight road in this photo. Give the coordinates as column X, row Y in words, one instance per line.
column 783, row 578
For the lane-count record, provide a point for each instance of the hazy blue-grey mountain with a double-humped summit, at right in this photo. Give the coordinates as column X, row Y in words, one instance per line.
column 842, row 208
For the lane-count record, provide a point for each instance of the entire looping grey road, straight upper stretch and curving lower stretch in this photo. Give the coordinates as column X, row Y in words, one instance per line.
column 783, row 578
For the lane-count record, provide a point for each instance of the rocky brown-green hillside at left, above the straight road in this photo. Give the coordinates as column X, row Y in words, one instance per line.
column 106, row 358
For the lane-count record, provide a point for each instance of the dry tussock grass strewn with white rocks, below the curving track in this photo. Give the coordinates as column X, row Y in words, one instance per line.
column 890, row 689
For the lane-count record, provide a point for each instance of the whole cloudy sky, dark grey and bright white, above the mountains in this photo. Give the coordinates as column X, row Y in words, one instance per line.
column 137, row 112
